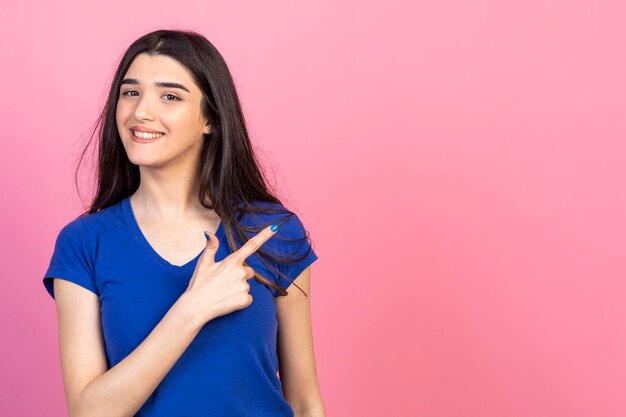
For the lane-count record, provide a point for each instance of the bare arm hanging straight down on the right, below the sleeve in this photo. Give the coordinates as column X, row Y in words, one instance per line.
column 295, row 350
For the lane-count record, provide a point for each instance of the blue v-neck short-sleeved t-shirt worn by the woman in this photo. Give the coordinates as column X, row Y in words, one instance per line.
column 230, row 368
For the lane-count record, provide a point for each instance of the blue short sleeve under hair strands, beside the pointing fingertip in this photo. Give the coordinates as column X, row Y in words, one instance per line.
column 296, row 246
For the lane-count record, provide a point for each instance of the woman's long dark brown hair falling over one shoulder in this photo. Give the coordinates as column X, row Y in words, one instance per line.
column 230, row 177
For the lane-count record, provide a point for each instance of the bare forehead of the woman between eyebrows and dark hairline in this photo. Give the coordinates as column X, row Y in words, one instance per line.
column 148, row 68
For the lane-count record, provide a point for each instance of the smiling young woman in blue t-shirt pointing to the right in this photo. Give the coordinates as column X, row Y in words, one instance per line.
column 157, row 318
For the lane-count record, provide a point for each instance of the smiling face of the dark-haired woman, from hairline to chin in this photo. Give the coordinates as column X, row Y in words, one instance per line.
column 171, row 110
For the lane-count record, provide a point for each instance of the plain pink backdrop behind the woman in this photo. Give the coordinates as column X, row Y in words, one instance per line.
column 460, row 165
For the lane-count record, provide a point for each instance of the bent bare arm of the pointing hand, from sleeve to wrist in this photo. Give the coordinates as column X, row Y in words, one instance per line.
column 91, row 390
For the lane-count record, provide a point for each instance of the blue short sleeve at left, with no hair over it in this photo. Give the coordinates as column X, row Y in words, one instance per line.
column 72, row 259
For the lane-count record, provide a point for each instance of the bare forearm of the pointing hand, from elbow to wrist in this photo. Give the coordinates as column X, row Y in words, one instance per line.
column 123, row 389
